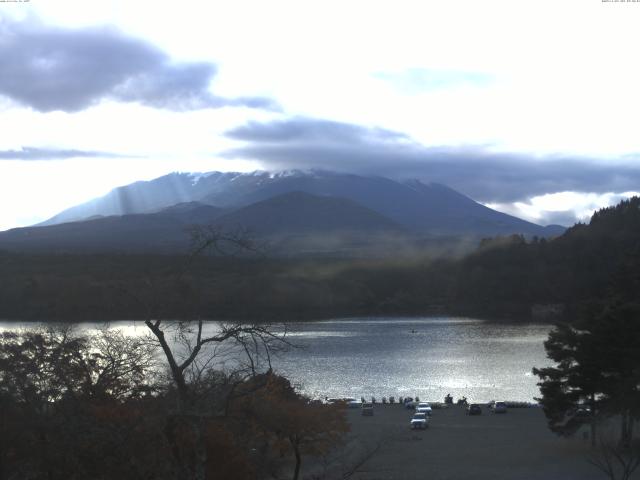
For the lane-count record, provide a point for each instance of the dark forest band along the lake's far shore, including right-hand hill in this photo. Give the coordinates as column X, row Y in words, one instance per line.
column 505, row 278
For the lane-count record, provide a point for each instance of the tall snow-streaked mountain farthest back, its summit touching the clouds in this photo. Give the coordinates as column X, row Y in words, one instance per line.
column 431, row 209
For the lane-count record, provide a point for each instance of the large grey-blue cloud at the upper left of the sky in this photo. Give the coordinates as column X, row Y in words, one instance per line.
column 49, row 69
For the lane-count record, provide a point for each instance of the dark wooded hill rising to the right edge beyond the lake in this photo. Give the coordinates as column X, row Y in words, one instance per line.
column 587, row 264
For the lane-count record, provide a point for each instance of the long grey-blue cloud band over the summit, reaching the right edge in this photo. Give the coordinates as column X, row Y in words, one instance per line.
column 483, row 175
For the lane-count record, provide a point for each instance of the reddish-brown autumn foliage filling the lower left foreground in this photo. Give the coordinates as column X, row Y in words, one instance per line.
column 78, row 407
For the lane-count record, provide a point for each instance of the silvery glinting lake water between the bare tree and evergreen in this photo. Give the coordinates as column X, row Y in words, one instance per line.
column 427, row 357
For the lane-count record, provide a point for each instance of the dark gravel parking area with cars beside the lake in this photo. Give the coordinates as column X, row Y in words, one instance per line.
column 515, row 445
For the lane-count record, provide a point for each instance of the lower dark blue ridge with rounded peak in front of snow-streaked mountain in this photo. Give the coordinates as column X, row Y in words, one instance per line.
column 291, row 222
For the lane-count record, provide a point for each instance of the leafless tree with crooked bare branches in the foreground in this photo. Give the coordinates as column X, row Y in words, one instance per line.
column 193, row 349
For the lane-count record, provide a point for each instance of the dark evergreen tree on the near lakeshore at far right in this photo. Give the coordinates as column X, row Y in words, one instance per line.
column 598, row 364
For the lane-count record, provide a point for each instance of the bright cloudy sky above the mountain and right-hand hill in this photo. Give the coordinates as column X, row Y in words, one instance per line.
column 528, row 107
